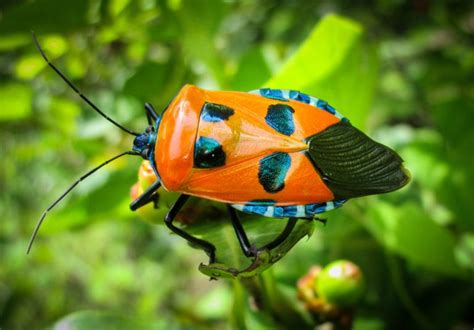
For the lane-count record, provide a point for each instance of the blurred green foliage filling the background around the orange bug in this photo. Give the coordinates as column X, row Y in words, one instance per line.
column 401, row 70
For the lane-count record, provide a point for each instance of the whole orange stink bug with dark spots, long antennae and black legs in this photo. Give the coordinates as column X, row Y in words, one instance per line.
column 275, row 153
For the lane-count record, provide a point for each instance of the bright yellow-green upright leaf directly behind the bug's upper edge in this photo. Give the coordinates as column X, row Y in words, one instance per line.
column 335, row 65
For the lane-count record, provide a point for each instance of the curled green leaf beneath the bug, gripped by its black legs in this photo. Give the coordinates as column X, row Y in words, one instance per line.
column 209, row 221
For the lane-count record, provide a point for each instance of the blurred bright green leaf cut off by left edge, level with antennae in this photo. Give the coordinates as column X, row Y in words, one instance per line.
column 15, row 101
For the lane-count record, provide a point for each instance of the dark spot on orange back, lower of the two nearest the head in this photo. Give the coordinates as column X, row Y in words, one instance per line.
column 208, row 153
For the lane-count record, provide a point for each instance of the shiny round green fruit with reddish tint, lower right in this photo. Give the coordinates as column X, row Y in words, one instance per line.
column 340, row 283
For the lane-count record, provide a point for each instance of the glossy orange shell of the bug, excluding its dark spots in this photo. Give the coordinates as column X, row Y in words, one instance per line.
column 245, row 138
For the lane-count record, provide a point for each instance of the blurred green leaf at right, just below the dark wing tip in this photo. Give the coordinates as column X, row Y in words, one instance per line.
column 409, row 232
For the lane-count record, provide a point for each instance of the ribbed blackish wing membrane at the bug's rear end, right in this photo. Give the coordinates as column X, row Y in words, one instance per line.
column 352, row 164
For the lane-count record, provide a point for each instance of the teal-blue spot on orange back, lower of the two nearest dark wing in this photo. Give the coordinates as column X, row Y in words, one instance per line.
column 273, row 170
